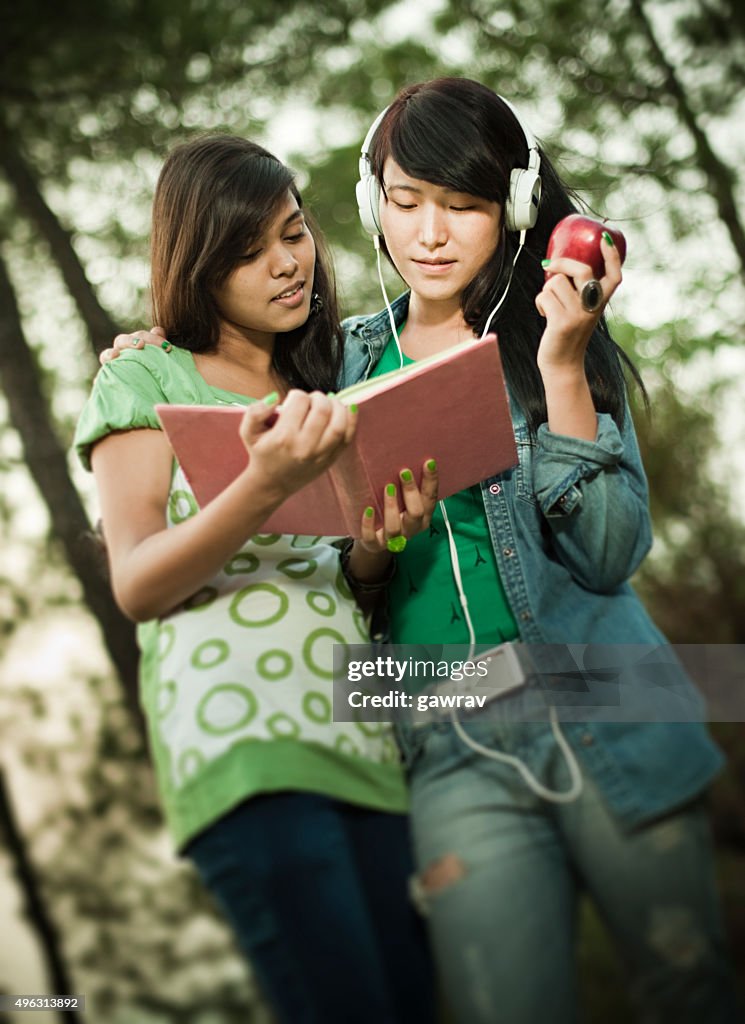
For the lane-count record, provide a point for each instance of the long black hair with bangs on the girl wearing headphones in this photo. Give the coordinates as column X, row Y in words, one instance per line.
column 458, row 134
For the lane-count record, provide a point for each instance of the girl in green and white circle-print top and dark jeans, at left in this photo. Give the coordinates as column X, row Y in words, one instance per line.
column 296, row 823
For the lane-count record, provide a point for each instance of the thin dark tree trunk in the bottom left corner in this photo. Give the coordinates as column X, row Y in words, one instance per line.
column 47, row 932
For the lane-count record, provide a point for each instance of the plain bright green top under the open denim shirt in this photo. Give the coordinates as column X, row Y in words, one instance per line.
column 425, row 608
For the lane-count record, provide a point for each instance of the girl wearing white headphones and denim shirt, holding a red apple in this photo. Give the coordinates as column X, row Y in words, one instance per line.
column 514, row 819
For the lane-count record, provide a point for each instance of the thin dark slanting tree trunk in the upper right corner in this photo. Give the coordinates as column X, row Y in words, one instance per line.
column 720, row 177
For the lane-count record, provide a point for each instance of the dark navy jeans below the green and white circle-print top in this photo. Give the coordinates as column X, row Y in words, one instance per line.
column 318, row 894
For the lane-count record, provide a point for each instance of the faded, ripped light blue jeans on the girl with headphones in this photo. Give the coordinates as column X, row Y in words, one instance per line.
column 501, row 872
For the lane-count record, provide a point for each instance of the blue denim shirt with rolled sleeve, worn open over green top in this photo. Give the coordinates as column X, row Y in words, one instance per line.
column 569, row 526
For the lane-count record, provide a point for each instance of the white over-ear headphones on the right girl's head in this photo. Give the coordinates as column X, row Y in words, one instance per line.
column 521, row 208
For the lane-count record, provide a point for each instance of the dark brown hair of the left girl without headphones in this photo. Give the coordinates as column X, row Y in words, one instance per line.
column 214, row 198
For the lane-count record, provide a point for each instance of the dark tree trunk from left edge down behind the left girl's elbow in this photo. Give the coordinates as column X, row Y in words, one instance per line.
column 48, row 464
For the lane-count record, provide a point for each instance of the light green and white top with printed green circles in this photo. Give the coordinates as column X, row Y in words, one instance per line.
column 237, row 682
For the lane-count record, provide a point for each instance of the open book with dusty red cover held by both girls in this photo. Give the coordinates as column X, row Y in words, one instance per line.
column 451, row 407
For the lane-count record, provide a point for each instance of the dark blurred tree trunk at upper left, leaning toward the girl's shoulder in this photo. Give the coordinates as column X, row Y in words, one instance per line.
column 100, row 325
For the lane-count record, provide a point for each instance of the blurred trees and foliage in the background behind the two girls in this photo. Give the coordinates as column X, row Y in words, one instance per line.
column 641, row 104
